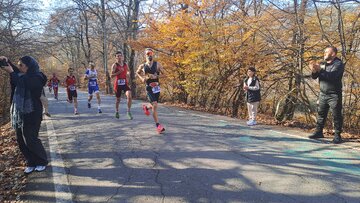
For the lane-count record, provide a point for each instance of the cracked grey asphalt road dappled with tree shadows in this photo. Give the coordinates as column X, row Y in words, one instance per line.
column 201, row 158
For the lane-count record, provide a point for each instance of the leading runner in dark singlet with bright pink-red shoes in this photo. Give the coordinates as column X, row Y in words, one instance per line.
column 149, row 74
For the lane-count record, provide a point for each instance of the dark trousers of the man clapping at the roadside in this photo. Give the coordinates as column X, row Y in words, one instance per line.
column 334, row 103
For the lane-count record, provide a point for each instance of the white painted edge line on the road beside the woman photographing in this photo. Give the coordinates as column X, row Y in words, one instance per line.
column 61, row 182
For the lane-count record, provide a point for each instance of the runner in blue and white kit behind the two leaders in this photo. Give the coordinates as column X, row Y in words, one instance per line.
column 93, row 87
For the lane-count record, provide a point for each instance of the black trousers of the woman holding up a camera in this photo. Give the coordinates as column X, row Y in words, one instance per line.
column 29, row 143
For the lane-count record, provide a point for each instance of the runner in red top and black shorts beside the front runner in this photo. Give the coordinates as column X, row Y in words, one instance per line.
column 120, row 71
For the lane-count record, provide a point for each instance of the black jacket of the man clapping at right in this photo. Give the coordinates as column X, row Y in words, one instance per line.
column 330, row 77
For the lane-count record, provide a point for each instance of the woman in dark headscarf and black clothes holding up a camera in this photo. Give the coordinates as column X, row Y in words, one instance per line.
column 26, row 109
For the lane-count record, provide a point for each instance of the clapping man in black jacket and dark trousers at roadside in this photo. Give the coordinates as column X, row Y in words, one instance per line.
column 330, row 75
